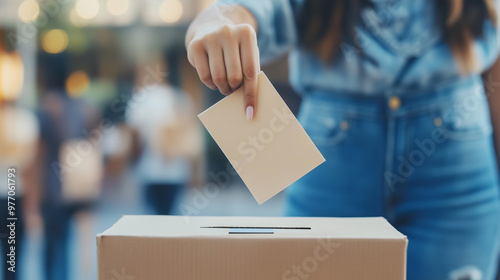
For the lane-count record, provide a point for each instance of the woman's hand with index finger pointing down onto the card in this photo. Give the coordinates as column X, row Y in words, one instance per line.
column 226, row 56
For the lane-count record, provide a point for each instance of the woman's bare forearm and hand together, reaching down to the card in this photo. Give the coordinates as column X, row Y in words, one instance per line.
column 222, row 45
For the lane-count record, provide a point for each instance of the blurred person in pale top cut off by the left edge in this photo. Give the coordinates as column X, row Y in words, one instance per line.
column 18, row 140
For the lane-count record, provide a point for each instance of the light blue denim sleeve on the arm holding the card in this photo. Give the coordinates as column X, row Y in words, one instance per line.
column 276, row 34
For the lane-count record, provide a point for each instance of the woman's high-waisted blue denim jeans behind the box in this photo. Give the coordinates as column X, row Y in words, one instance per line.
column 425, row 161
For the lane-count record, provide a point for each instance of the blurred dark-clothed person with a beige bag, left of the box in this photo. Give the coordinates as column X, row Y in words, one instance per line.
column 70, row 165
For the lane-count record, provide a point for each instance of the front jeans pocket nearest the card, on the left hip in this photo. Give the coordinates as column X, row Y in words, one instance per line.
column 325, row 127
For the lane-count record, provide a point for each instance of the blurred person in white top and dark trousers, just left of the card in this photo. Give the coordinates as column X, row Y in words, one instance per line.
column 165, row 136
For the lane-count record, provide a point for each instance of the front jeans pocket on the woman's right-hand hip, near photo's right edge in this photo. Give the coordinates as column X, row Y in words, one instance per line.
column 462, row 122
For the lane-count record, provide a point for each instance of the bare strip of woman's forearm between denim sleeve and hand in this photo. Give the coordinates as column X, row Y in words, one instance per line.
column 216, row 16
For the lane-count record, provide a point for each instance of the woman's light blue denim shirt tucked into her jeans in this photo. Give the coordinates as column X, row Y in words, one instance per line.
column 402, row 48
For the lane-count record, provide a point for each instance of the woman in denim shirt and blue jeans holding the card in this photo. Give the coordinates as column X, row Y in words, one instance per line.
column 394, row 100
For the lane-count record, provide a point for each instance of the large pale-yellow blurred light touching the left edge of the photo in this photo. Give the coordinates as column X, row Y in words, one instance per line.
column 11, row 76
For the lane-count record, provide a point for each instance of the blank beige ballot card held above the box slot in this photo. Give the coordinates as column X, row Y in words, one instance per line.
column 269, row 152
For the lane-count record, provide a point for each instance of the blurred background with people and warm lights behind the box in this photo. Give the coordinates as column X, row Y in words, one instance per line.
column 98, row 108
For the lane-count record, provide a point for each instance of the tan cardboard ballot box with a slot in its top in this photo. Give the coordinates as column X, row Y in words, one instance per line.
column 250, row 248
